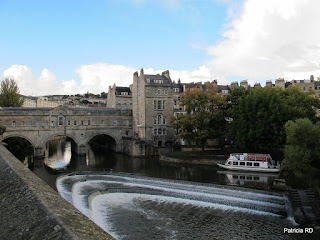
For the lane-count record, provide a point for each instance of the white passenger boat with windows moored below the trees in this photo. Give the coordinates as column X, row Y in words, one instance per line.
column 250, row 162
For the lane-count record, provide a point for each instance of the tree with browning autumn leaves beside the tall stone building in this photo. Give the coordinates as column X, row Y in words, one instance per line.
column 204, row 118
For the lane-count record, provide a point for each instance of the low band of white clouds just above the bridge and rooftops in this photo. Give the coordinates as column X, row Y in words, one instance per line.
column 95, row 78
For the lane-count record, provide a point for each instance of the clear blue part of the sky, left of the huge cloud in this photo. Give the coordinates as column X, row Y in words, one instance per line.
column 61, row 35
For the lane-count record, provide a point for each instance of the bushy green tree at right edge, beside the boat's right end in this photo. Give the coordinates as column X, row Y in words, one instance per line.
column 302, row 152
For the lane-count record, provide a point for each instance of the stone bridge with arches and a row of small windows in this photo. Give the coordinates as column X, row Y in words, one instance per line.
column 38, row 125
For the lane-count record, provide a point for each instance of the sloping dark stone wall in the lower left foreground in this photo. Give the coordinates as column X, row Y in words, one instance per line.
column 30, row 209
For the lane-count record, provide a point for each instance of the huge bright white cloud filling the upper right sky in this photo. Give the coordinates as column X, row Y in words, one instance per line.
column 270, row 39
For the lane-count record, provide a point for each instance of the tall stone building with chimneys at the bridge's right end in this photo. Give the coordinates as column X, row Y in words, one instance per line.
column 152, row 108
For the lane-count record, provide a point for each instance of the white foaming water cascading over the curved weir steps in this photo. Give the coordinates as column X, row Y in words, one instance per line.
column 110, row 192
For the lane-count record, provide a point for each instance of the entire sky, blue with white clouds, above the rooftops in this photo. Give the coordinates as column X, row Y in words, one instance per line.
column 79, row 46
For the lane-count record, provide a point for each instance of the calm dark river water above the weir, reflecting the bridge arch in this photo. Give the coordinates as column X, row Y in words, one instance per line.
column 59, row 159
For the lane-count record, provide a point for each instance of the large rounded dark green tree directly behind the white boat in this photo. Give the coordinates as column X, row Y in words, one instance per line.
column 258, row 120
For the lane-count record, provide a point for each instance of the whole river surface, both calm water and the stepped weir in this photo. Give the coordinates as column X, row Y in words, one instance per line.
column 138, row 198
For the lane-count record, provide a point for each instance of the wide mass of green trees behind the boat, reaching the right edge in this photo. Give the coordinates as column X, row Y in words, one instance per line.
column 259, row 116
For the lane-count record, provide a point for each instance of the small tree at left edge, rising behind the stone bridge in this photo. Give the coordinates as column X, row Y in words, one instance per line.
column 9, row 94
